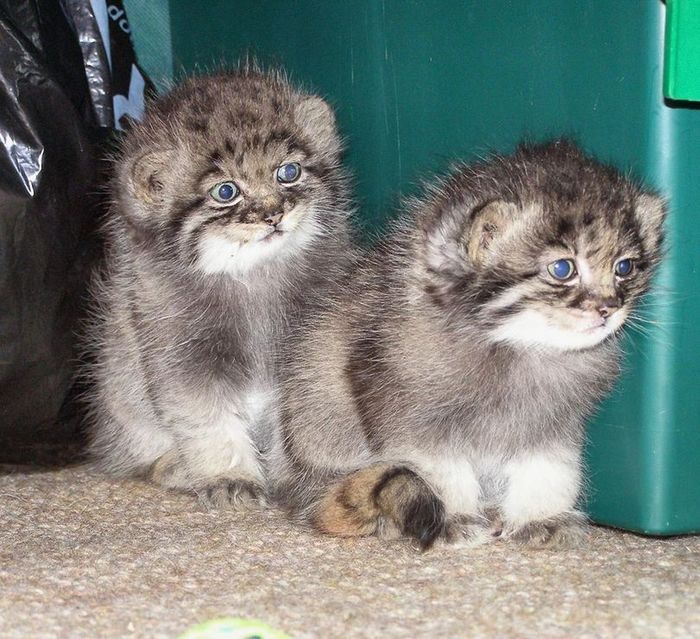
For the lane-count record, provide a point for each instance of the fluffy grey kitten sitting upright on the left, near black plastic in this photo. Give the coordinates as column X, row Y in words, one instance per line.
column 230, row 214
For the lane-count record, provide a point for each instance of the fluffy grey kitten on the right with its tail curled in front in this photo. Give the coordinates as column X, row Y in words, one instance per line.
column 444, row 395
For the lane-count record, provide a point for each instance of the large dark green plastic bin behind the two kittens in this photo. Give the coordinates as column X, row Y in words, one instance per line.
column 418, row 83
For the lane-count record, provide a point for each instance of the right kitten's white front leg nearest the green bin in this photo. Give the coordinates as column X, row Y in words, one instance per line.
column 538, row 506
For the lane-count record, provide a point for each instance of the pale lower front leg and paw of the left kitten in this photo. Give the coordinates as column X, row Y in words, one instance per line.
column 218, row 462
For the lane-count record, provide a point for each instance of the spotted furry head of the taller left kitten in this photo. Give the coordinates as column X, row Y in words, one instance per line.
column 233, row 171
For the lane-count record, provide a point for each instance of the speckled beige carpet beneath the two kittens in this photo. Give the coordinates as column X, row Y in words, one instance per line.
column 81, row 556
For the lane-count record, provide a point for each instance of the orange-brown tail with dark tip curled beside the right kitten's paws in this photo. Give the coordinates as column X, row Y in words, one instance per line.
column 370, row 499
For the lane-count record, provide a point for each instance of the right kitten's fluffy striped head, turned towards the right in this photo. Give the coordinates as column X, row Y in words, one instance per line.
column 544, row 248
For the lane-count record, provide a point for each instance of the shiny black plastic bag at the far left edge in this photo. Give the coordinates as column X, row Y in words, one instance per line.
column 47, row 171
